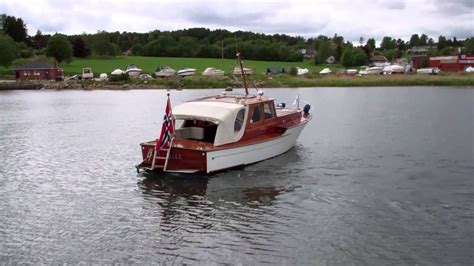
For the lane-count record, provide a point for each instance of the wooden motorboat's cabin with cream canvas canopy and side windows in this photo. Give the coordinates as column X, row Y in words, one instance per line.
column 222, row 119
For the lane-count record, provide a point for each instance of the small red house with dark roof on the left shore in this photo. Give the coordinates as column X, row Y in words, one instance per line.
column 38, row 71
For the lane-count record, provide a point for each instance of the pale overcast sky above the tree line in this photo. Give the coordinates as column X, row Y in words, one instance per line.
column 349, row 18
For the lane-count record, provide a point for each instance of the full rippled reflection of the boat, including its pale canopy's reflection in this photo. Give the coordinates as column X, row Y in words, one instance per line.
column 199, row 206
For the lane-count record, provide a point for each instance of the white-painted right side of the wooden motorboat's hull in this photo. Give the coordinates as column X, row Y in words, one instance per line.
column 223, row 159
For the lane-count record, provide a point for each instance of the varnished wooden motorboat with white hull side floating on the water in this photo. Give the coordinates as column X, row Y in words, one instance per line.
column 218, row 132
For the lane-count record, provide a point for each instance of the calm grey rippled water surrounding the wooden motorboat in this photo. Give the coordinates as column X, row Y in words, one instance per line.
column 379, row 176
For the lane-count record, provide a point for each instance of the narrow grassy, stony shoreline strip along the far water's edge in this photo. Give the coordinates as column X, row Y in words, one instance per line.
column 259, row 81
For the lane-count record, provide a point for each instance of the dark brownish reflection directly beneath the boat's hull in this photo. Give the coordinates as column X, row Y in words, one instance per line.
column 250, row 186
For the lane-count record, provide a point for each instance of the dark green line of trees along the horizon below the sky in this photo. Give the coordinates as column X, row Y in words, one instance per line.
column 206, row 43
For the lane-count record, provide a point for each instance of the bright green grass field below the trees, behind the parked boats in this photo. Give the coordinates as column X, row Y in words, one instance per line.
column 149, row 64
